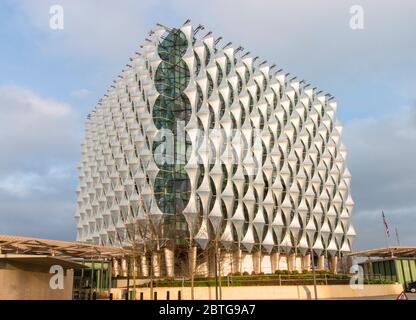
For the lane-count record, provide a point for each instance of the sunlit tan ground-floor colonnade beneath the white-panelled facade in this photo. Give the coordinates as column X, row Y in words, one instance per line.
column 163, row 264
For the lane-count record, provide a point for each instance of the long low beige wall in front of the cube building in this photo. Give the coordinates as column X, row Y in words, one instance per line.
column 268, row 292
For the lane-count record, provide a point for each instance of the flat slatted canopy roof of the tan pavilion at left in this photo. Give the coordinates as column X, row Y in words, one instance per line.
column 57, row 248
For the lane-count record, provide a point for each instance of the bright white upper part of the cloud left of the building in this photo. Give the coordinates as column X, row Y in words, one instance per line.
column 35, row 128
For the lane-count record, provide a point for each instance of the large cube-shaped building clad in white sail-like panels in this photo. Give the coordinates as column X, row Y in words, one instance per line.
column 200, row 150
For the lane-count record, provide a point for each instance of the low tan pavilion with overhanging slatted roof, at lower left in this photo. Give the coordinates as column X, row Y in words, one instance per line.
column 45, row 269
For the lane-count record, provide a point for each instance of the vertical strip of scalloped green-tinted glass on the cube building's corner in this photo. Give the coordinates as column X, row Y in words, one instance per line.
column 172, row 185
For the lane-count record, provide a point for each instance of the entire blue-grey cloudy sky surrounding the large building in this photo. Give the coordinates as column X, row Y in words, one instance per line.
column 50, row 80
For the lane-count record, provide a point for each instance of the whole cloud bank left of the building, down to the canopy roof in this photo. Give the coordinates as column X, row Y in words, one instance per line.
column 39, row 144
